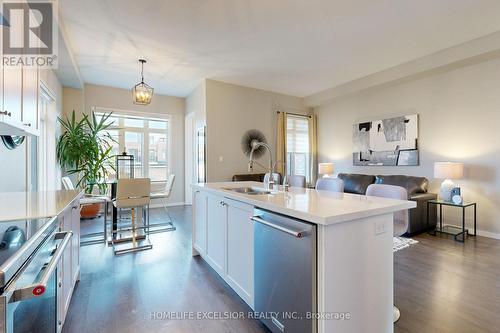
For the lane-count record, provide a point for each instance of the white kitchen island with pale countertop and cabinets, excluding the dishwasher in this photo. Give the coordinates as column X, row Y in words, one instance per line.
column 352, row 274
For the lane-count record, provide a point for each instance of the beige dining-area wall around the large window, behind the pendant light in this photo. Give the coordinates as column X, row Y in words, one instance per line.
column 121, row 99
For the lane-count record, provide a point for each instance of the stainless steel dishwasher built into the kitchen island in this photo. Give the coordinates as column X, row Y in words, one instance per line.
column 284, row 272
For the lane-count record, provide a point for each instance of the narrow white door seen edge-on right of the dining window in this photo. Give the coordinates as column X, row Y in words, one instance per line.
column 189, row 170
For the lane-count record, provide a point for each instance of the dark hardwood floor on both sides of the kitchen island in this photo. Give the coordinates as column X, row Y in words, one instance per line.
column 440, row 286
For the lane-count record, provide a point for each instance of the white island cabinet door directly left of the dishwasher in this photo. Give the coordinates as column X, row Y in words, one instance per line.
column 240, row 249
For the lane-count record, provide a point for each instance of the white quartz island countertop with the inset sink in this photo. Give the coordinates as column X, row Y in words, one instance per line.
column 316, row 206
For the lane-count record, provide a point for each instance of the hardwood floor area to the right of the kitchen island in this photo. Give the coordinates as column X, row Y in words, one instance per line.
column 445, row 286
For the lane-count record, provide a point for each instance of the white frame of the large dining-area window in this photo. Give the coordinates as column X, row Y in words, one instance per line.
column 145, row 131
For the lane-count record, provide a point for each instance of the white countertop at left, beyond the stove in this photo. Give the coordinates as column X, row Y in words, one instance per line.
column 33, row 205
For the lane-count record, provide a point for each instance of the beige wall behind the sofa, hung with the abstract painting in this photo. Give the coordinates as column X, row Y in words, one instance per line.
column 459, row 117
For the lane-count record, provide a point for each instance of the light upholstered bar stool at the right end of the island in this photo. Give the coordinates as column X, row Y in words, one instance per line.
column 400, row 218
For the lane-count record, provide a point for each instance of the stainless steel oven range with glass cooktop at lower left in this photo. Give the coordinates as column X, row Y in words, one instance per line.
column 30, row 252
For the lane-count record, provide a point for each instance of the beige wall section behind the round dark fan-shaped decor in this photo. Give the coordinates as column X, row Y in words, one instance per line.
column 231, row 110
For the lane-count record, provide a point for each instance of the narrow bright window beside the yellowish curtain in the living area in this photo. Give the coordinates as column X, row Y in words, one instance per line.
column 298, row 154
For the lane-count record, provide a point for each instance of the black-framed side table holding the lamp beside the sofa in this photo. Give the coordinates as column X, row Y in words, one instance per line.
column 457, row 232
